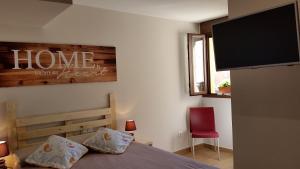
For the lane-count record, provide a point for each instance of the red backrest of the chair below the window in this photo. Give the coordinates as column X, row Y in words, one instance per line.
column 202, row 119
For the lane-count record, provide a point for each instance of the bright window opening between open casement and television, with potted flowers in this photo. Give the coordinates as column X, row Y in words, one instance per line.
column 217, row 79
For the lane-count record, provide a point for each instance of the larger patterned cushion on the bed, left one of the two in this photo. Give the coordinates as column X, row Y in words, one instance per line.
column 57, row 152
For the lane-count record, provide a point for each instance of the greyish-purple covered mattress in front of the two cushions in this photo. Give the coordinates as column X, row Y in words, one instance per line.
column 137, row 156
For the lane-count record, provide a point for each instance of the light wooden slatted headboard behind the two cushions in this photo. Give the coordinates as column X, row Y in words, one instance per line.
column 33, row 130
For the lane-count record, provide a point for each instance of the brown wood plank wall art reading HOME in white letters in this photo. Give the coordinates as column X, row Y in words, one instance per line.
column 26, row 64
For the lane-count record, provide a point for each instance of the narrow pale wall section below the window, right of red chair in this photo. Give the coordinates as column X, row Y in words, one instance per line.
column 223, row 120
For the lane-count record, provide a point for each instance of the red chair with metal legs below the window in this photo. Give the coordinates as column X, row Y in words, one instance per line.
column 202, row 125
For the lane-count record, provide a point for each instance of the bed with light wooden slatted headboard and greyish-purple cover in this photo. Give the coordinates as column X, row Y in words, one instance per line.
column 29, row 132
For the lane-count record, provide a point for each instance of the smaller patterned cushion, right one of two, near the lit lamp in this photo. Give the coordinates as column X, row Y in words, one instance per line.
column 109, row 141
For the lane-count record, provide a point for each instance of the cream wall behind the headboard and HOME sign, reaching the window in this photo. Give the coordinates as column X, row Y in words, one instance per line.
column 150, row 64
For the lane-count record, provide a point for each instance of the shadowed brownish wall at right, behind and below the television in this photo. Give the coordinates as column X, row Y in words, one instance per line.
column 265, row 108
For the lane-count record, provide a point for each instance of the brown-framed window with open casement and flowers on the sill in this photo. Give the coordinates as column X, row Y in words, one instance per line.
column 202, row 65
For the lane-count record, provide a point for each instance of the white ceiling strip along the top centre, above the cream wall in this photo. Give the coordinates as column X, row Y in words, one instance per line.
column 183, row 10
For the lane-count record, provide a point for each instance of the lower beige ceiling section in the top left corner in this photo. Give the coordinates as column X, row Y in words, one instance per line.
column 34, row 13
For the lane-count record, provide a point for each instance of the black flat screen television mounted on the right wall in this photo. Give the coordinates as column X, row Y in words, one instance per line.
column 266, row 38
